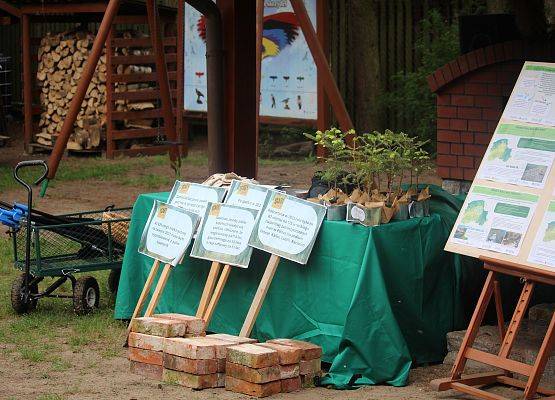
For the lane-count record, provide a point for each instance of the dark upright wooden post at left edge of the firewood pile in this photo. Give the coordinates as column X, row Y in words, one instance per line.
column 27, row 82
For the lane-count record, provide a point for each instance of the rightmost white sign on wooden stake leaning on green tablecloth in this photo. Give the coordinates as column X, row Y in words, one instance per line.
column 287, row 228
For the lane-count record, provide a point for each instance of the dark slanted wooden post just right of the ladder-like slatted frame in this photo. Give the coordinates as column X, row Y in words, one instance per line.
column 163, row 80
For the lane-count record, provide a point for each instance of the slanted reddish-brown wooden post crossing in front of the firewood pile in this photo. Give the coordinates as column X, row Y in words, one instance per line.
column 82, row 86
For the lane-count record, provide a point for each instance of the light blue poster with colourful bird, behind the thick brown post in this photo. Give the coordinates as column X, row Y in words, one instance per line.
column 289, row 76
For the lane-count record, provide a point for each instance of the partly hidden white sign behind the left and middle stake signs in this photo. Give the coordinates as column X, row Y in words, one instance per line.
column 194, row 197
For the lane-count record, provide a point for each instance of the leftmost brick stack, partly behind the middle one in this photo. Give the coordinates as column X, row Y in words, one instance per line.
column 147, row 340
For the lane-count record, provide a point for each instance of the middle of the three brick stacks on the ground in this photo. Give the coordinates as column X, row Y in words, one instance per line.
column 198, row 362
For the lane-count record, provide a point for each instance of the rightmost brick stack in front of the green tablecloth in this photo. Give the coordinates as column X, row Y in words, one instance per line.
column 277, row 366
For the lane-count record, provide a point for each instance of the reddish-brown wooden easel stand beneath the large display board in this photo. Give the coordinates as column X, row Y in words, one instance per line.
column 468, row 384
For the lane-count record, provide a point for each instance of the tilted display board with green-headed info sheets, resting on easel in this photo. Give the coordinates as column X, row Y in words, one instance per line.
column 509, row 213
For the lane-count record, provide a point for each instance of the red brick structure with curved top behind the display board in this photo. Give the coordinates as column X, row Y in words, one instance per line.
column 472, row 91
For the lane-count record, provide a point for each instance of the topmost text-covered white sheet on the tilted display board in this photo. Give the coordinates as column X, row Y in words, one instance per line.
column 533, row 98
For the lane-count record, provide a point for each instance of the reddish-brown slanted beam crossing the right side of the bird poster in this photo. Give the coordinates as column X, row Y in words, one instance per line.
column 321, row 62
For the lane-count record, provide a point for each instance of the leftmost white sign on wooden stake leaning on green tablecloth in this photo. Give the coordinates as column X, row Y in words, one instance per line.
column 166, row 237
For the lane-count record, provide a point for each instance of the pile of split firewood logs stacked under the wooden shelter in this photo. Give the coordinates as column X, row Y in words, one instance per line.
column 61, row 60
